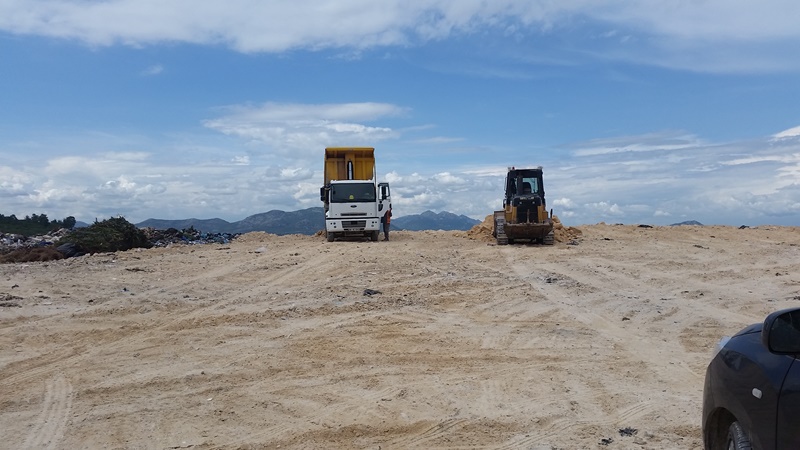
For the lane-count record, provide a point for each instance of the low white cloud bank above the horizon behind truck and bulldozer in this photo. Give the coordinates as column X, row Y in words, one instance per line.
column 683, row 177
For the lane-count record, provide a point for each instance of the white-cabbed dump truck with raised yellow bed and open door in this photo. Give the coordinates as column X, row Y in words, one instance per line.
column 354, row 200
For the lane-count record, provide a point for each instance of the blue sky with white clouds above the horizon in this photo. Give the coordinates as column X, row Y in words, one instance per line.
column 639, row 111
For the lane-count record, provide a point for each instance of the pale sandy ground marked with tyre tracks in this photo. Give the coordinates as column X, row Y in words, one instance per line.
column 270, row 342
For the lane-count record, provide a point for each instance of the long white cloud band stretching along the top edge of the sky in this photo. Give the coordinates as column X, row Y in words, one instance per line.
column 716, row 35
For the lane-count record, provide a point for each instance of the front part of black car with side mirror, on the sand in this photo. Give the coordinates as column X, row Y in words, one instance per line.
column 751, row 398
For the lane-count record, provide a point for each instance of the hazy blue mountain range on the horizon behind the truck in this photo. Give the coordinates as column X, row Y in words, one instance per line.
column 307, row 221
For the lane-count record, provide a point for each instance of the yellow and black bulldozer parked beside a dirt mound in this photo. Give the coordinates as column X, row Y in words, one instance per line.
column 524, row 215
